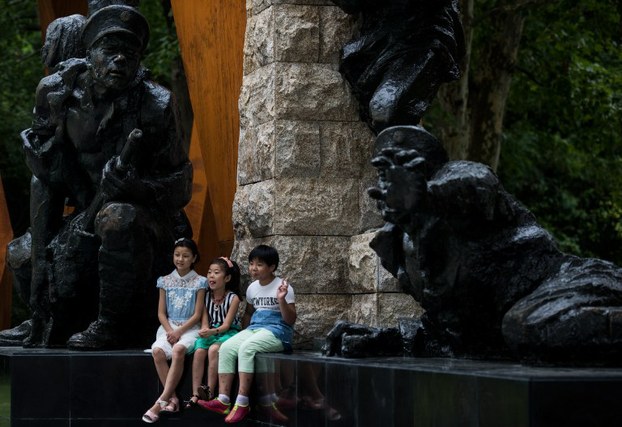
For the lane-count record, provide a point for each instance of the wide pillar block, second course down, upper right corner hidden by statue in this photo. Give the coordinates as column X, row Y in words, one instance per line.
column 312, row 92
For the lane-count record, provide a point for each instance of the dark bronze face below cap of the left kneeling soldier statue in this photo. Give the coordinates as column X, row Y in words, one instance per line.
column 114, row 61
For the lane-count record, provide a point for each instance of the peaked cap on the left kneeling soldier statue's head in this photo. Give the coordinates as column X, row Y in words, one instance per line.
column 113, row 20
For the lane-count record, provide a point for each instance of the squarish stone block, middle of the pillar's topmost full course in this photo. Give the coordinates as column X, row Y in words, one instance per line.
column 297, row 36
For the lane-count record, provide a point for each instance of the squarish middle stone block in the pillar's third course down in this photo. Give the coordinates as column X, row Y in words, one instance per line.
column 297, row 149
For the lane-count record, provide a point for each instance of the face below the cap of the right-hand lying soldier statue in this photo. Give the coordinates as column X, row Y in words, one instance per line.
column 401, row 183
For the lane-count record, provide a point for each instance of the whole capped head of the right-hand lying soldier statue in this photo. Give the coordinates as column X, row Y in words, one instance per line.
column 406, row 157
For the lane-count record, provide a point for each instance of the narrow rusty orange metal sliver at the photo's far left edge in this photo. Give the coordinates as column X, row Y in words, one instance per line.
column 6, row 286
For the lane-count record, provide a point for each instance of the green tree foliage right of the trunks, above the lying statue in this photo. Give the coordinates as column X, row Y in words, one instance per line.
column 562, row 148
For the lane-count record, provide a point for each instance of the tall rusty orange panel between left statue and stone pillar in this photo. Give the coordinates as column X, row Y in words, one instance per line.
column 211, row 39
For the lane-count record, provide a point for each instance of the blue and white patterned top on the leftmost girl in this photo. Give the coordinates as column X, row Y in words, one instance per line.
column 181, row 294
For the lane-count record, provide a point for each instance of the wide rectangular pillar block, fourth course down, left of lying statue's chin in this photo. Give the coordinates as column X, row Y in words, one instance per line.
column 316, row 207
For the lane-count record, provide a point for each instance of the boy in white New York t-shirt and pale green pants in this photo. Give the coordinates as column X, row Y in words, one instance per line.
column 270, row 306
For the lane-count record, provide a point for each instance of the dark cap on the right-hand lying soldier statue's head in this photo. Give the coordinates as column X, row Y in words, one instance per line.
column 413, row 138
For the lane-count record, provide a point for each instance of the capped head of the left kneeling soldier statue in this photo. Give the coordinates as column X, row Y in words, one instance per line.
column 115, row 38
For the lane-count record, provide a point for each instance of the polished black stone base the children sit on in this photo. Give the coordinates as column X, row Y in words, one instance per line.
column 67, row 388
